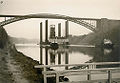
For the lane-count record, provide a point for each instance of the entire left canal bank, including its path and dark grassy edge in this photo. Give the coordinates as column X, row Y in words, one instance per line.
column 15, row 67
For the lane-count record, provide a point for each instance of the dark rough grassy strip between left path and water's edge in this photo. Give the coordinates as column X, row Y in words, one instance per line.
column 26, row 66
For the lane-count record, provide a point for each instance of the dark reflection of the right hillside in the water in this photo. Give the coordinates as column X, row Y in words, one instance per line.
column 100, row 54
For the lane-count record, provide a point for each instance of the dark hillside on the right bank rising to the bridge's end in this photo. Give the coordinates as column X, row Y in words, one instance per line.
column 111, row 32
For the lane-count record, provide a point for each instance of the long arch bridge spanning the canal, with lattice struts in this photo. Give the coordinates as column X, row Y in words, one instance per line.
column 89, row 23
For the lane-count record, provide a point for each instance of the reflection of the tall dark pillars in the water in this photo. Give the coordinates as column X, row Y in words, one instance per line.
column 53, row 57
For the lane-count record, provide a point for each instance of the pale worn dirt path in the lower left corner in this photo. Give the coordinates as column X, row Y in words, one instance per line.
column 10, row 71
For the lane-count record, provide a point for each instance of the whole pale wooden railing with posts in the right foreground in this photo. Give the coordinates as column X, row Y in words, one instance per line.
column 87, row 72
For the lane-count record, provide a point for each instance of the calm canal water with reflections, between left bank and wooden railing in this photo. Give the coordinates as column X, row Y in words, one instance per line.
column 73, row 54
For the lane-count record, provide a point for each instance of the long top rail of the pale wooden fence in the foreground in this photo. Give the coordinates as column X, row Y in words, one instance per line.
column 101, row 63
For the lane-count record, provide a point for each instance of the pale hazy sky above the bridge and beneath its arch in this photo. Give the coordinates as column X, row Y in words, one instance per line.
column 77, row 8
